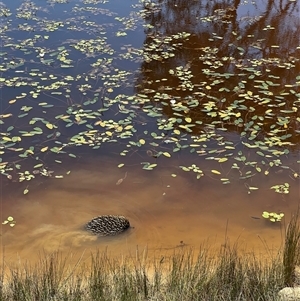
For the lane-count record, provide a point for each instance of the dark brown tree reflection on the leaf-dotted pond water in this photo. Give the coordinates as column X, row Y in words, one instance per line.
column 233, row 46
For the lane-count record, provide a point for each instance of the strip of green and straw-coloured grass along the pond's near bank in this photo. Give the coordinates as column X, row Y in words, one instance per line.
column 225, row 275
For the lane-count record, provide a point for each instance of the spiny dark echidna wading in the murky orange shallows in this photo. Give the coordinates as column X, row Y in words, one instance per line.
column 105, row 225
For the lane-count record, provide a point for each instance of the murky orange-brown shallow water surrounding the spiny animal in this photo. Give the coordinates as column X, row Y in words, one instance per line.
column 51, row 218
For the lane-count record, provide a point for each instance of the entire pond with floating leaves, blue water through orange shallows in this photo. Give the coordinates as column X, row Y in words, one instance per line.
column 193, row 104
